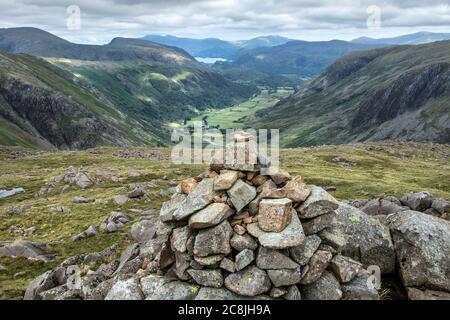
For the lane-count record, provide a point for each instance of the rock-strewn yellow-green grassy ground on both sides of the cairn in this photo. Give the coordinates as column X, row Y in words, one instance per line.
column 356, row 171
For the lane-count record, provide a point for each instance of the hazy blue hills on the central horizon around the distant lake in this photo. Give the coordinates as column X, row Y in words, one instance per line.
column 216, row 48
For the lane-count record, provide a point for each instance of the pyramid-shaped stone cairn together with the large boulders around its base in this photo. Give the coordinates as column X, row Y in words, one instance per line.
column 235, row 233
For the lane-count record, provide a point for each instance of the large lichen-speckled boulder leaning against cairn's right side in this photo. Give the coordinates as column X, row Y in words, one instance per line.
column 368, row 240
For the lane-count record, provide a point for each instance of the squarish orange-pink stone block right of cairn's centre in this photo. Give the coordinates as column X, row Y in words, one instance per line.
column 274, row 214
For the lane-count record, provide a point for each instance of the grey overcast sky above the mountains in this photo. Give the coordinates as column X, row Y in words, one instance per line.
column 101, row 20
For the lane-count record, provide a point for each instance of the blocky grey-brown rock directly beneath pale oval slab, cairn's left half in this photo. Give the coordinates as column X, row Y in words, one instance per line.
column 213, row 241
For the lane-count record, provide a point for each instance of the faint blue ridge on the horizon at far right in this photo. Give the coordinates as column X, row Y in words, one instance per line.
column 415, row 38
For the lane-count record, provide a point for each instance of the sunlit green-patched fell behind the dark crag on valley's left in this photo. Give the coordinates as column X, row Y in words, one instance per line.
column 150, row 83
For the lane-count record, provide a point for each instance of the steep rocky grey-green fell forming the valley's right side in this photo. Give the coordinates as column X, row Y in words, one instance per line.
column 399, row 92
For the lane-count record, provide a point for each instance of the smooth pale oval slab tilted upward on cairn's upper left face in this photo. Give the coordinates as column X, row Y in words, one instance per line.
column 210, row 216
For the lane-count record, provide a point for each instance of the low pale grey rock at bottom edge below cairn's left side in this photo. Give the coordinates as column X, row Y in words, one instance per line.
column 175, row 290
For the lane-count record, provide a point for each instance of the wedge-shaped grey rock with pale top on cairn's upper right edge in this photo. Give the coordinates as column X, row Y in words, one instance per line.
column 318, row 203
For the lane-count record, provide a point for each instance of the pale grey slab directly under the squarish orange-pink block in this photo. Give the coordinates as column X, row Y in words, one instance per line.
column 291, row 236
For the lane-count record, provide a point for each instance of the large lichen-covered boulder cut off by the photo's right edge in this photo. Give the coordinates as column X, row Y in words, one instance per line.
column 422, row 245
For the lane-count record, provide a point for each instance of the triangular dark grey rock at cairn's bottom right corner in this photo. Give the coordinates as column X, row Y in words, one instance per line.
column 326, row 288
